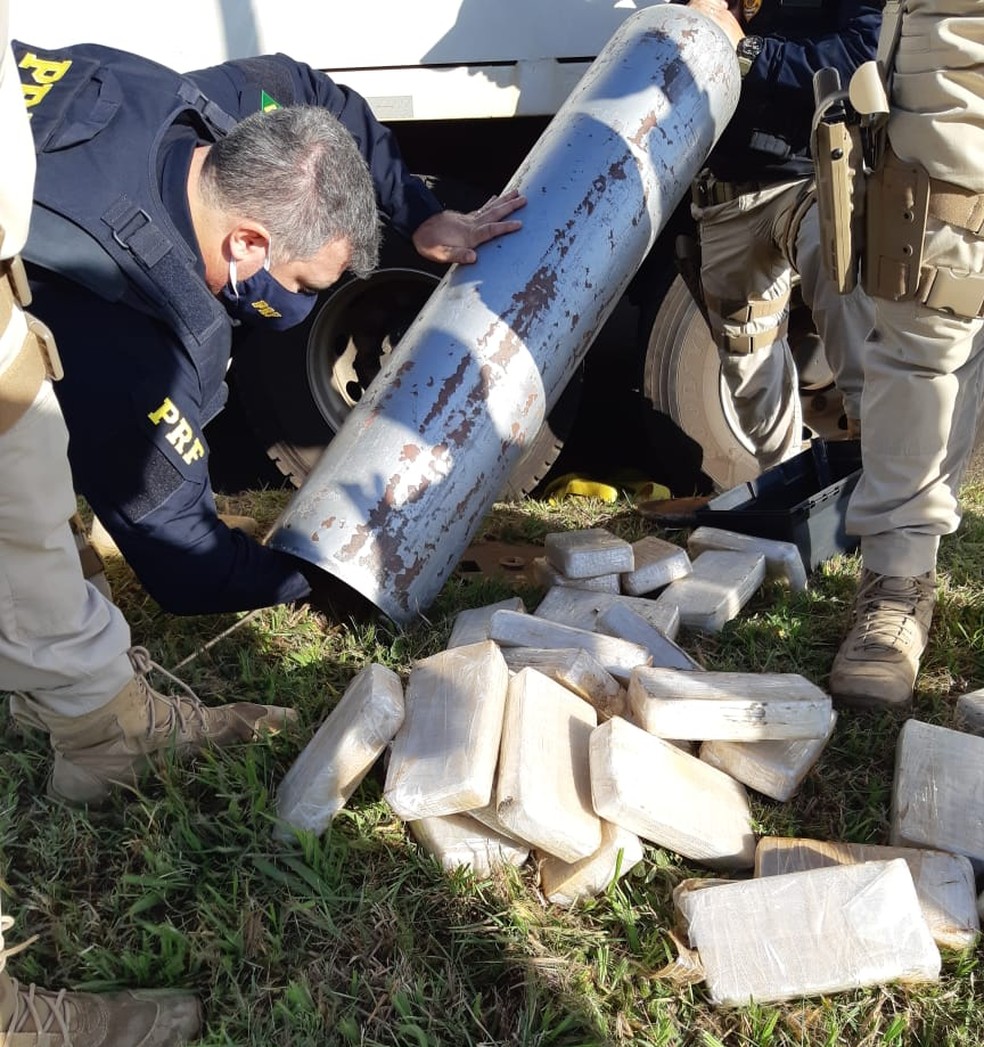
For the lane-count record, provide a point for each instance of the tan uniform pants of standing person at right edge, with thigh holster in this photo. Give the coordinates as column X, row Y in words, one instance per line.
column 924, row 369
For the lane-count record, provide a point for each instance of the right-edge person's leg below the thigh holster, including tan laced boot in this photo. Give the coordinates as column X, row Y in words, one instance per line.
column 923, row 388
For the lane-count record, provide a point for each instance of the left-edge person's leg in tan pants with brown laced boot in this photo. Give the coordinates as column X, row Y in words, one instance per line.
column 63, row 647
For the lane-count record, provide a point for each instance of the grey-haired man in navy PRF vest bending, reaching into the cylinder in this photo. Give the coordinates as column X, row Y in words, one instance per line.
column 167, row 209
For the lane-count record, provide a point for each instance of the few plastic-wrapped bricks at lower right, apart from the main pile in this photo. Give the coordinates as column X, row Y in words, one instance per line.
column 838, row 917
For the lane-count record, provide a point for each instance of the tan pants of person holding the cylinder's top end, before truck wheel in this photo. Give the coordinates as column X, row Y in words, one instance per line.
column 751, row 248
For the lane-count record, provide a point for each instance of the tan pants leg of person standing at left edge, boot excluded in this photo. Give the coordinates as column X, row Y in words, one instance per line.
column 60, row 639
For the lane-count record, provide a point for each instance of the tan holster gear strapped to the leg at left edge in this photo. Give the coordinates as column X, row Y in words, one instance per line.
column 38, row 358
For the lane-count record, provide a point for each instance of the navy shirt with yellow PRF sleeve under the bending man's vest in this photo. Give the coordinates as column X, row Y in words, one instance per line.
column 136, row 403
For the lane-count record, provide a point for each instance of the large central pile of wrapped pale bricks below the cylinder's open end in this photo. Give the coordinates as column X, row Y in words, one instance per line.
column 539, row 733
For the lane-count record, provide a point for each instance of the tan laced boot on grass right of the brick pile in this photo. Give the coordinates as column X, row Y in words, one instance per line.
column 878, row 663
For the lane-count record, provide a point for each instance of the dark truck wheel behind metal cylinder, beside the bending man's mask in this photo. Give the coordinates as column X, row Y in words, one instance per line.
column 297, row 388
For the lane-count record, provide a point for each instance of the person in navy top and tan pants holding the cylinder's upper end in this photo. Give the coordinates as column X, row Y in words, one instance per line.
column 758, row 221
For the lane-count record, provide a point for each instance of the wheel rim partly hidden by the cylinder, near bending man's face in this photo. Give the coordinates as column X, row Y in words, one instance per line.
column 355, row 331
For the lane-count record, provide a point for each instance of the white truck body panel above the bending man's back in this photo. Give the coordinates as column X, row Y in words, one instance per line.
column 435, row 60
